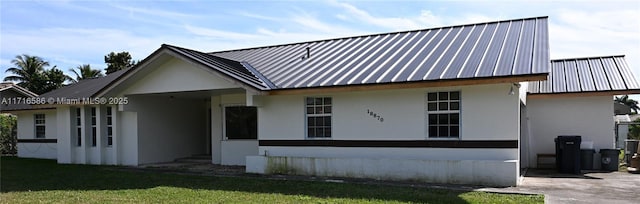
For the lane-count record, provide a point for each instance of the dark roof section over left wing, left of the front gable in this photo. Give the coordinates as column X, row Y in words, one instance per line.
column 84, row 88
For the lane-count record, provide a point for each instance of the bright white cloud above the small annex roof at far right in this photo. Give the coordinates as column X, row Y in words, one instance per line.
column 575, row 33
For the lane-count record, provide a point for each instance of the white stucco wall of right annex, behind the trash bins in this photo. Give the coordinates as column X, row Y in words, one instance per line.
column 589, row 117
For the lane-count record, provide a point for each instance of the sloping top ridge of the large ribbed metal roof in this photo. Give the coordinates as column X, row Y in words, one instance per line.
column 376, row 34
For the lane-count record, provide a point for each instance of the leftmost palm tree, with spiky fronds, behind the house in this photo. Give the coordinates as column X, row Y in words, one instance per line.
column 28, row 70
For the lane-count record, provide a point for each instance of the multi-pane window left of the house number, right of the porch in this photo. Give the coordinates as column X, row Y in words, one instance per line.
column 318, row 117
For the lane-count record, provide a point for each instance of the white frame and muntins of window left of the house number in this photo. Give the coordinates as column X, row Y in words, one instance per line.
column 324, row 114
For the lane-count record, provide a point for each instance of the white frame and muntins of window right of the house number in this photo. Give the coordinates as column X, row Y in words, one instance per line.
column 448, row 111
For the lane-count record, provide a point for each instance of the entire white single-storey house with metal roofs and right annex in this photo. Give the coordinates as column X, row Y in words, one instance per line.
column 446, row 105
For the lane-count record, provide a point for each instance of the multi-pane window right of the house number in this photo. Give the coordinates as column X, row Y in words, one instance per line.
column 443, row 113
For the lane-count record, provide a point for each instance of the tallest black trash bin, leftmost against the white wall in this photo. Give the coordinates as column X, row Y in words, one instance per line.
column 568, row 154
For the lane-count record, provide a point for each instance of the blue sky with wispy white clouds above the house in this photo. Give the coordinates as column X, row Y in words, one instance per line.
column 68, row 33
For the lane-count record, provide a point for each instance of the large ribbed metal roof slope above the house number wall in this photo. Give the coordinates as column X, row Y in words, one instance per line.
column 505, row 48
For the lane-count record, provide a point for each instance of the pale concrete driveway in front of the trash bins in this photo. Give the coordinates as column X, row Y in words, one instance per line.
column 595, row 187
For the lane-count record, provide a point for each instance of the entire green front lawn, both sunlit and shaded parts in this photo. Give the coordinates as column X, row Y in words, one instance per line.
column 37, row 181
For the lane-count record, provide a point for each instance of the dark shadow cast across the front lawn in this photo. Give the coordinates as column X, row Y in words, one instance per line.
column 20, row 175
